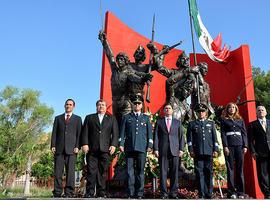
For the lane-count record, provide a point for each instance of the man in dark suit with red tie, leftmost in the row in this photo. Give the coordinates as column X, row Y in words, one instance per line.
column 65, row 145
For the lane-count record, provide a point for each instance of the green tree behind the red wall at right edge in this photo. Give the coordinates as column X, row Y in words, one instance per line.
column 261, row 87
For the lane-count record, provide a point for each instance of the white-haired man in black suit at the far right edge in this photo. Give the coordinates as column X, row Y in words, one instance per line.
column 259, row 142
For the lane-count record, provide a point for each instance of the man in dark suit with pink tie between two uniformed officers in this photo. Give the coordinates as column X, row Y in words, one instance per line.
column 169, row 145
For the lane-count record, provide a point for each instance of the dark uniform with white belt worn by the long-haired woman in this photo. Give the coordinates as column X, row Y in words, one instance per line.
column 234, row 136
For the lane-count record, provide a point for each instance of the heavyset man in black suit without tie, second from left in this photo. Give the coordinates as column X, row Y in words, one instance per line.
column 99, row 140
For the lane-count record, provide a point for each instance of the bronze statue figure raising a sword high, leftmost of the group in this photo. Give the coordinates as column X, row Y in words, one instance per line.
column 122, row 79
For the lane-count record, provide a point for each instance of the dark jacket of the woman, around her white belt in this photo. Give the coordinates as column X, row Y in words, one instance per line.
column 228, row 125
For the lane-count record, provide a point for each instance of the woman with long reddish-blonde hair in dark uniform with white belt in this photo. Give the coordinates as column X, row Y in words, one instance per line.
column 234, row 140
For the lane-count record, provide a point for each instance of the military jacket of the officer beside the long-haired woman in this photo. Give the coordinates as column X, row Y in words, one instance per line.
column 201, row 137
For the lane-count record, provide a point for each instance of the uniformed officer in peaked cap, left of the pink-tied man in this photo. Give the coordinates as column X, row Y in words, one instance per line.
column 135, row 140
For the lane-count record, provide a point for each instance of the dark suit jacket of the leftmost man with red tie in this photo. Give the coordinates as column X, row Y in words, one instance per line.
column 66, row 137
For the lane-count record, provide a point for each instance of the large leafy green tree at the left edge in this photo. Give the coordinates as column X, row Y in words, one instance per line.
column 23, row 119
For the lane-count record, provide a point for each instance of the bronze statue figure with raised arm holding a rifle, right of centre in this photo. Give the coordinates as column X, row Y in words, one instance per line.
column 180, row 83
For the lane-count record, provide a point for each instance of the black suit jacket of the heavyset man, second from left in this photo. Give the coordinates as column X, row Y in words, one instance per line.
column 99, row 137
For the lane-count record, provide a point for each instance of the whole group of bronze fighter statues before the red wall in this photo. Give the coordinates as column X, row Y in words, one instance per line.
column 129, row 78
